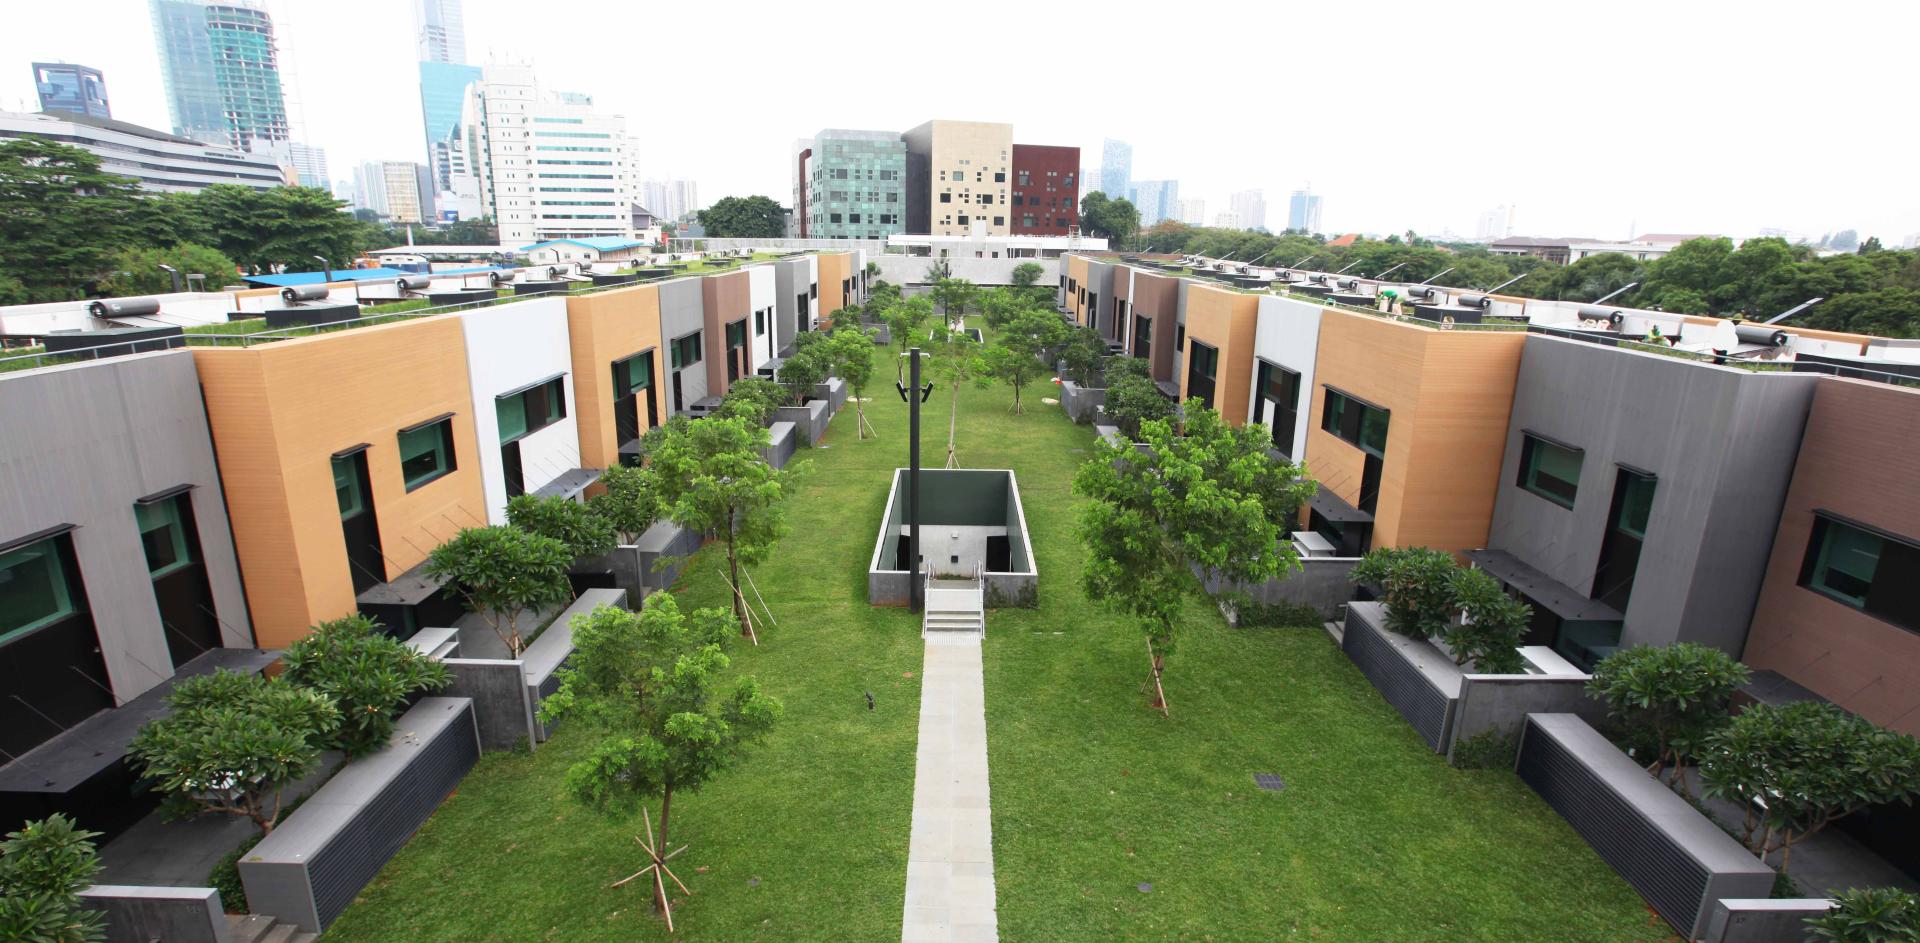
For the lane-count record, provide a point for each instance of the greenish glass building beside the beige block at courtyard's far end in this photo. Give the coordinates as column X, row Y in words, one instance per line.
column 852, row 185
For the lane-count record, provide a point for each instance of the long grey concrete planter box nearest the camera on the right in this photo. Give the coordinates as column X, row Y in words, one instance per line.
column 1669, row 852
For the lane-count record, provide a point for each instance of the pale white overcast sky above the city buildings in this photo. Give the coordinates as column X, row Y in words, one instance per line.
column 1595, row 120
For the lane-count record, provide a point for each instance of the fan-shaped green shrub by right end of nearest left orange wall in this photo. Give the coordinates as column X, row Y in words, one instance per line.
column 504, row 573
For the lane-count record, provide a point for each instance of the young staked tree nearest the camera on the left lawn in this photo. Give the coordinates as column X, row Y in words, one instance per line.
column 648, row 683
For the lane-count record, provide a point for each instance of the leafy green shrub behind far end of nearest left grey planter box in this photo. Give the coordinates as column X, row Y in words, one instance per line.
column 368, row 675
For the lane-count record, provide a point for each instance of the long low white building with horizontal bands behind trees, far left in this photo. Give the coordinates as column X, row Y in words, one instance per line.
column 153, row 158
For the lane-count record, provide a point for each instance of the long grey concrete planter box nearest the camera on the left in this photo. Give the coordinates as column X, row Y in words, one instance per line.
column 312, row 867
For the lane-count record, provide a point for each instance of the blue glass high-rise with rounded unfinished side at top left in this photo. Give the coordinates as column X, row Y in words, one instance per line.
column 222, row 72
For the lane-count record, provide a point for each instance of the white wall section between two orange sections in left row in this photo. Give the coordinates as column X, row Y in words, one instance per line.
column 508, row 349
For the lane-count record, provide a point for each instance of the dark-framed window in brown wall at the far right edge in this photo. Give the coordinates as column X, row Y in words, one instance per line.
column 1871, row 571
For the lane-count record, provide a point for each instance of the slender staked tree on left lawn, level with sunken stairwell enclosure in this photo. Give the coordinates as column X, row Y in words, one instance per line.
column 711, row 477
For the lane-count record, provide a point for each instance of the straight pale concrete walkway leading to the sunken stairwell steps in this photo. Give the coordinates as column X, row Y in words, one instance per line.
column 949, row 863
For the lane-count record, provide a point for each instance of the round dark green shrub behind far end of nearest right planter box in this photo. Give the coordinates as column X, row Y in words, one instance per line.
column 1675, row 696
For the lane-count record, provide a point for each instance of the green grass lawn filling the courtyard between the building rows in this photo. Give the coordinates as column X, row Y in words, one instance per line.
column 1111, row 823
